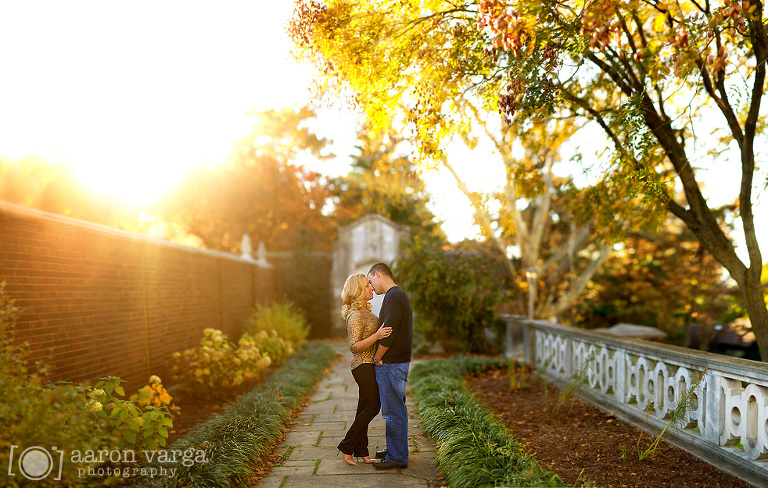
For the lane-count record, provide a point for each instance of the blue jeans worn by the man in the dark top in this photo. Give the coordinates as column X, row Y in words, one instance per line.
column 392, row 379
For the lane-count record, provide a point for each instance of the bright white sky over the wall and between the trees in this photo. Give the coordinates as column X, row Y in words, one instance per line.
column 133, row 95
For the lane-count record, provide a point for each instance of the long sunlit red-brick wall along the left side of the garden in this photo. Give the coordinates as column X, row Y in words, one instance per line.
column 96, row 301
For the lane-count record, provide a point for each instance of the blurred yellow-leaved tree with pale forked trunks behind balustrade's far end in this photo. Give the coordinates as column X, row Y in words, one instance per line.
column 562, row 254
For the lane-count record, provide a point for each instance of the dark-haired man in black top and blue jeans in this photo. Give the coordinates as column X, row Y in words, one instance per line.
column 392, row 360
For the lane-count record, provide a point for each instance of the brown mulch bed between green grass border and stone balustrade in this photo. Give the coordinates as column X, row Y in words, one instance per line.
column 581, row 443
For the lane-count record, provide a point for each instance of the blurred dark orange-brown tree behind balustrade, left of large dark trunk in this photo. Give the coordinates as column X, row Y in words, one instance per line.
column 667, row 280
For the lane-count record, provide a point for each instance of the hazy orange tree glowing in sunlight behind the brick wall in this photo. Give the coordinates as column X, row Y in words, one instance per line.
column 259, row 190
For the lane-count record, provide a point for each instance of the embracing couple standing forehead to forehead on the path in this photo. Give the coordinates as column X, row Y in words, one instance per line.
column 381, row 358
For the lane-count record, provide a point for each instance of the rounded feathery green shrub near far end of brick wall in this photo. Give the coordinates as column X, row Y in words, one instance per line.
column 284, row 318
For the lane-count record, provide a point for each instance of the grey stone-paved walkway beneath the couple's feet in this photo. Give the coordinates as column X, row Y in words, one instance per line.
column 313, row 459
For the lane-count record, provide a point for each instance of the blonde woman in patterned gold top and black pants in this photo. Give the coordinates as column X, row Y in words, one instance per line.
column 362, row 336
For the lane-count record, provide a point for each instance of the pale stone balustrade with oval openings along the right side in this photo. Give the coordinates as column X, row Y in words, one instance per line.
column 726, row 422
